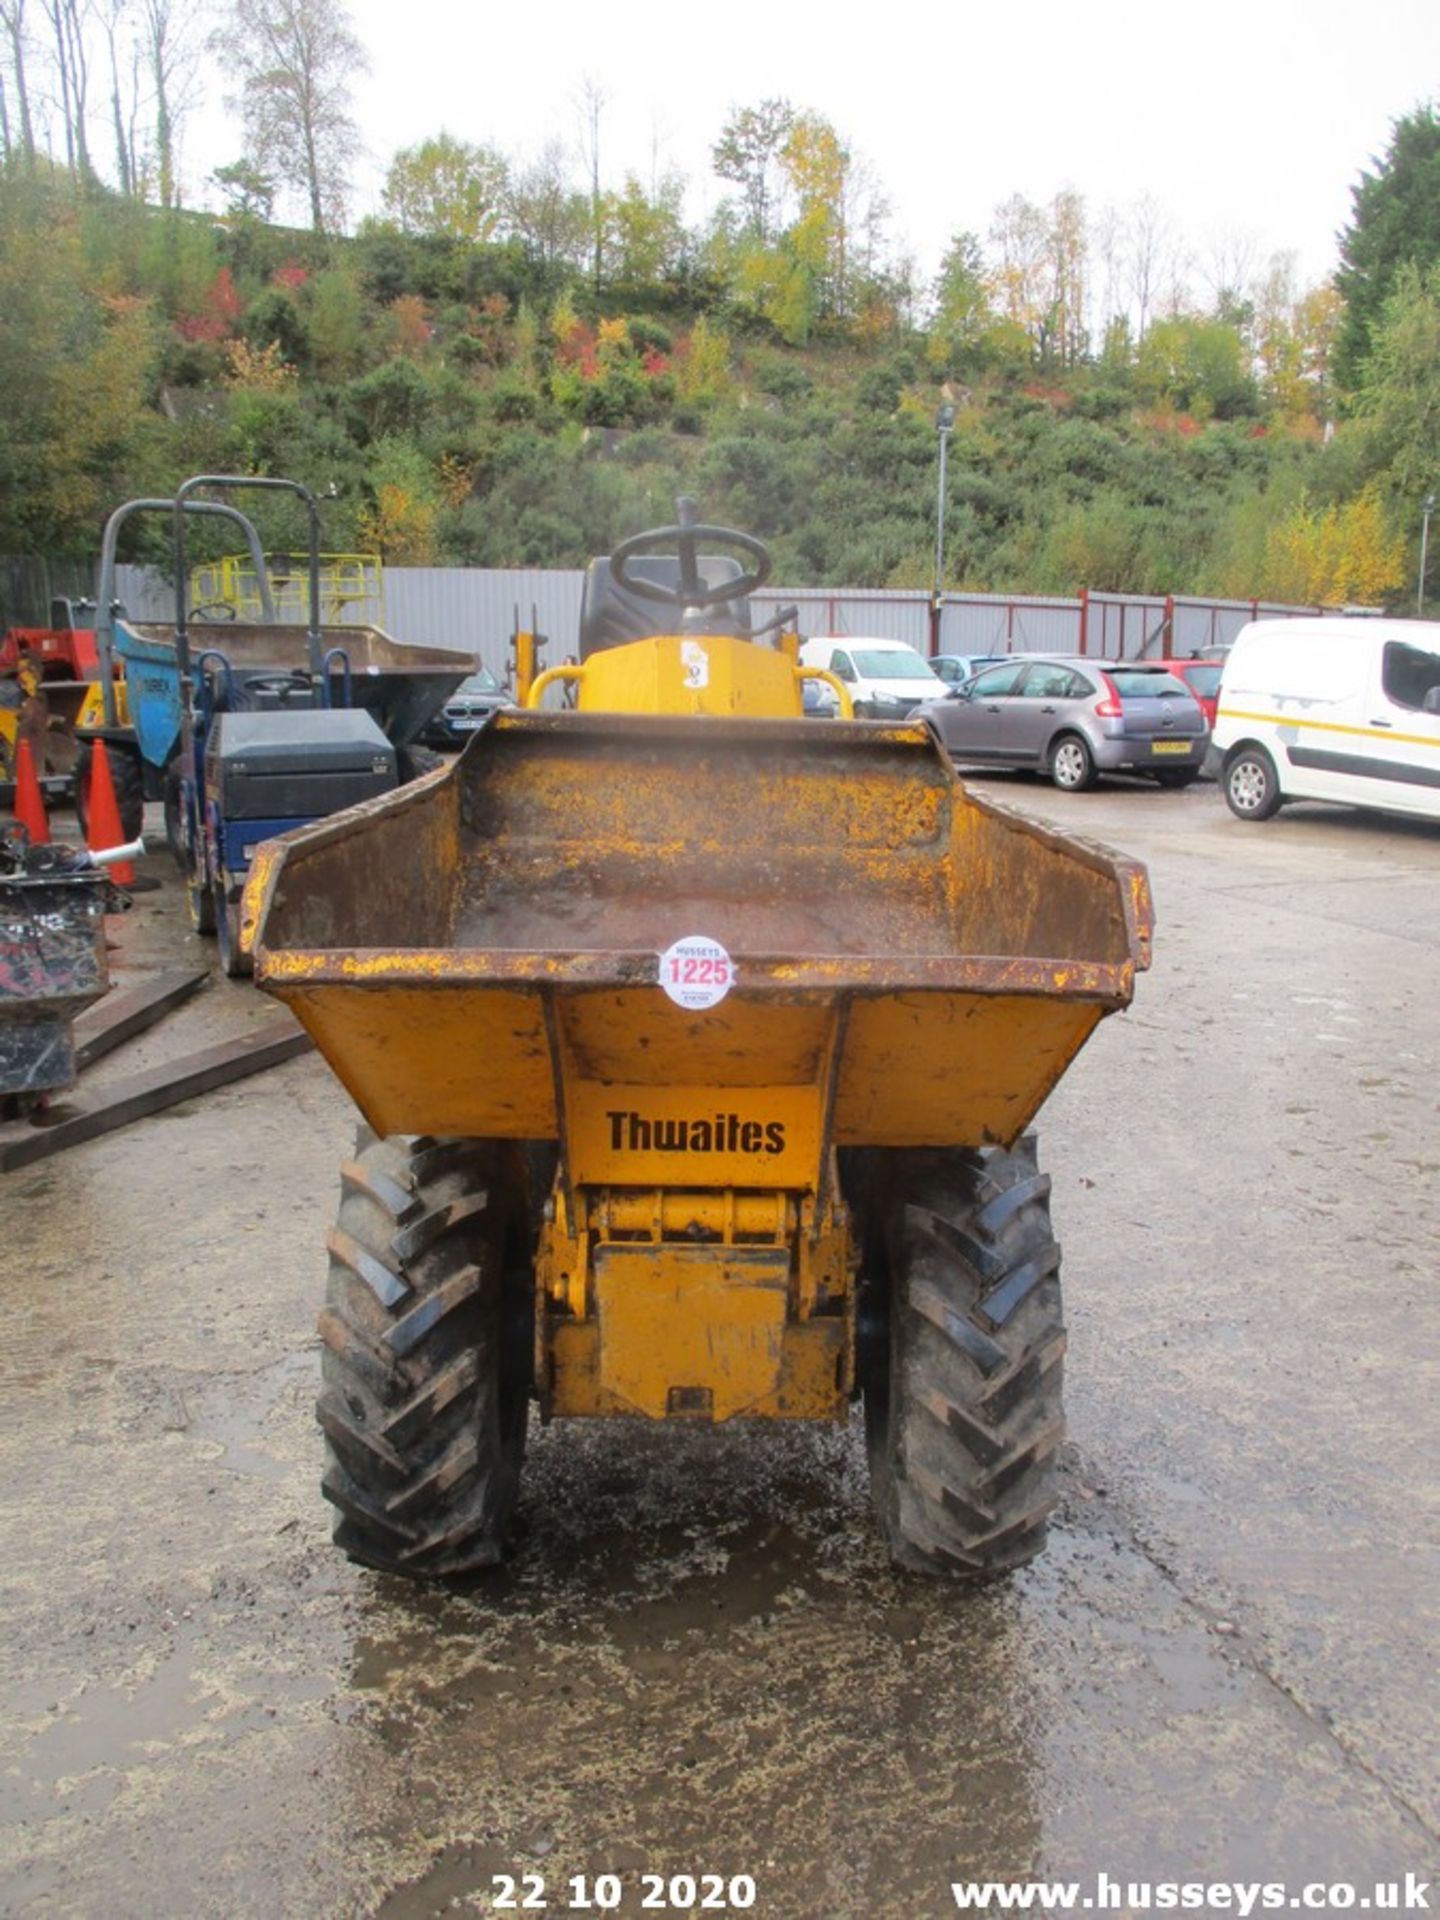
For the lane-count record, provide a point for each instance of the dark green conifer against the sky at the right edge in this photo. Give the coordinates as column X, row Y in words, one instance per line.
column 1395, row 224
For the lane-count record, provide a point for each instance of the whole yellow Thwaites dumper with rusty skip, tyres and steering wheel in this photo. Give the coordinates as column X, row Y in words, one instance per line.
column 698, row 1044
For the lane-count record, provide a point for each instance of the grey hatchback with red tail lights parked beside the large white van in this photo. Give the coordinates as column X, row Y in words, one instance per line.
column 1074, row 719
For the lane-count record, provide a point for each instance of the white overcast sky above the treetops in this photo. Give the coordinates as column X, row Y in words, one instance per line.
column 1241, row 118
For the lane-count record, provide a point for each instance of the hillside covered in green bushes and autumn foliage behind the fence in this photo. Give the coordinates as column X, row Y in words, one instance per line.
column 473, row 404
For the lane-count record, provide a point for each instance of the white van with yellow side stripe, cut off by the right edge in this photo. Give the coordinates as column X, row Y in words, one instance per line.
column 1332, row 711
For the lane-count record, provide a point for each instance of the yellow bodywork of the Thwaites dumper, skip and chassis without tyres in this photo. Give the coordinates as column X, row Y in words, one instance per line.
column 909, row 967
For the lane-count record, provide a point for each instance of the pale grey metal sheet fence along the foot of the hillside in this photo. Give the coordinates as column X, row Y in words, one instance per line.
column 477, row 610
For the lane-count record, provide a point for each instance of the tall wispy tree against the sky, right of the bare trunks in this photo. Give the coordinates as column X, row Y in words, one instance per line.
column 295, row 60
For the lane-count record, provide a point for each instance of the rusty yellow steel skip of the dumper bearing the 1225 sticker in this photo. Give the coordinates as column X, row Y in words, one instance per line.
column 481, row 953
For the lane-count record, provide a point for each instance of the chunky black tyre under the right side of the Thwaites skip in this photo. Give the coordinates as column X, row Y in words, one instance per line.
column 965, row 1385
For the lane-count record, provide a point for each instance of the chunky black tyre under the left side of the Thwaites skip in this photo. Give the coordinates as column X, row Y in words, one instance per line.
column 427, row 1353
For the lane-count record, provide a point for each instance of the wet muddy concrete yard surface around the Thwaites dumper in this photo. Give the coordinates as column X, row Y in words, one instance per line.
column 700, row 1662
